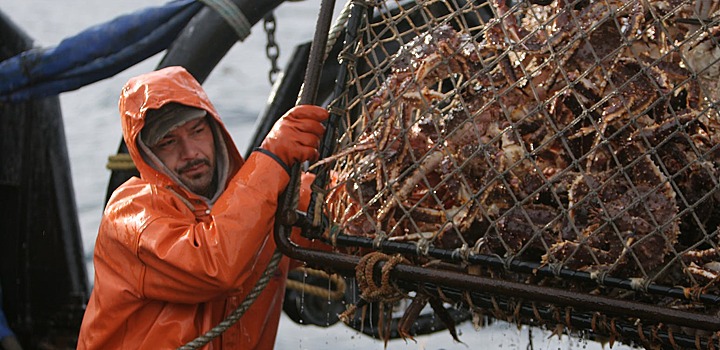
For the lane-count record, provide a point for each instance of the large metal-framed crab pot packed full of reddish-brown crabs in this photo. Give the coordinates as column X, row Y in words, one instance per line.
column 633, row 185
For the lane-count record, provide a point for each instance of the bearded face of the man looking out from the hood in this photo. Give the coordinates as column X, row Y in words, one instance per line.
column 189, row 152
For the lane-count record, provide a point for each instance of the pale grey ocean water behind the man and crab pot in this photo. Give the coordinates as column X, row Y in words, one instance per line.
column 239, row 88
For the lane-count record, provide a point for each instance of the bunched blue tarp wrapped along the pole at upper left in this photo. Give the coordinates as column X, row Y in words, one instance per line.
column 94, row 54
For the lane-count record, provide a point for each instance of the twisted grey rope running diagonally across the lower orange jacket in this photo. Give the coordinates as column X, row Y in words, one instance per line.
column 240, row 311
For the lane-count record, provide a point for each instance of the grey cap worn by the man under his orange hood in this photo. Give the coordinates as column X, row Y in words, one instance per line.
column 159, row 122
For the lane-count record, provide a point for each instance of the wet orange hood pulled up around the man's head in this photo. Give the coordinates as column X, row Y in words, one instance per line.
column 152, row 91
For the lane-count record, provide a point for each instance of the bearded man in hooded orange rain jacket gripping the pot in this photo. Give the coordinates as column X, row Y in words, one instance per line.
column 180, row 247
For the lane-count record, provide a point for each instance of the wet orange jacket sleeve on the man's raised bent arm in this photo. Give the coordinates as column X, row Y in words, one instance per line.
column 189, row 262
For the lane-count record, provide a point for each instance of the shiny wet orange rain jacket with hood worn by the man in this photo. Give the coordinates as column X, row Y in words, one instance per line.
column 168, row 267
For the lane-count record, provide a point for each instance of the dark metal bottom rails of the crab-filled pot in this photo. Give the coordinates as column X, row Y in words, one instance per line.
column 483, row 290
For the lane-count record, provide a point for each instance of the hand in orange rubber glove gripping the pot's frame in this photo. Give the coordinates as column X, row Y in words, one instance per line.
column 296, row 136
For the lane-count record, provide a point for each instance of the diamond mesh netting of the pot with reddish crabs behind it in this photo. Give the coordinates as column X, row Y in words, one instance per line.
column 578, row 136
